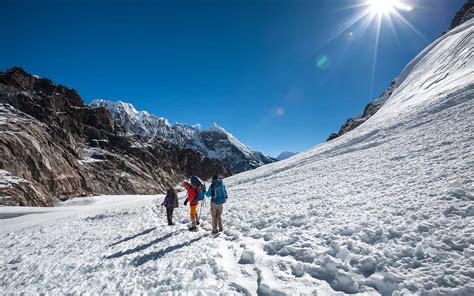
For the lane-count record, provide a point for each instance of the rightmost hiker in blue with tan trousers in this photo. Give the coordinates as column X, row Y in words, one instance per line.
column 218, row 195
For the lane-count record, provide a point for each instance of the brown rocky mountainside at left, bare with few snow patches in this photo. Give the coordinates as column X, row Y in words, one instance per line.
column 53, row 146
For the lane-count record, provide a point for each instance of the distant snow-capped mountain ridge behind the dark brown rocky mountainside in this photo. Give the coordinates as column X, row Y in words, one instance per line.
column 215, row 142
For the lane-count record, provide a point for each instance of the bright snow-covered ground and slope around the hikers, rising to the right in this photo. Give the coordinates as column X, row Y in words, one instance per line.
column 386, row 209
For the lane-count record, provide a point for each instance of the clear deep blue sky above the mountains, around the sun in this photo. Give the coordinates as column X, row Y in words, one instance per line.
column 273, row 73
